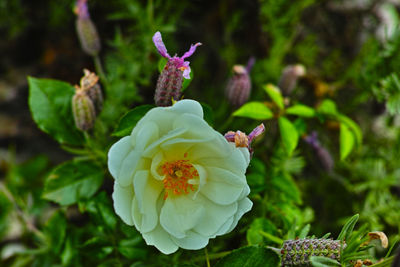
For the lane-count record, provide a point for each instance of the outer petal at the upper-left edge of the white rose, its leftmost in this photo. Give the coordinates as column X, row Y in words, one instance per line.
column 116, row 154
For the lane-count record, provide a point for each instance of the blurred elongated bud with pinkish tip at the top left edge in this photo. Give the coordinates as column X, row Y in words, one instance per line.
column 87, row 32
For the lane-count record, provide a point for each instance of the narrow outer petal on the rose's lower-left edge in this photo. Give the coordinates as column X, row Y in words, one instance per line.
column 122, row 198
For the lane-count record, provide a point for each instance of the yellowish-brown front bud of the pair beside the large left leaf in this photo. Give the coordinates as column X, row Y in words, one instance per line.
column 83, row 110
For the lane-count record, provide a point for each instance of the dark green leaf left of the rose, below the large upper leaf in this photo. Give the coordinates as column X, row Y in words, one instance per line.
column 73, row 181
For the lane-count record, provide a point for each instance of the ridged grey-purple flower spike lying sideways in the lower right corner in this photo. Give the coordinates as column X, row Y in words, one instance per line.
column 298, row 252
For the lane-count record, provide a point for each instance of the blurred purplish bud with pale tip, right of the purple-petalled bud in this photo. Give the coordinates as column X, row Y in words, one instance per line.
column 239, row 86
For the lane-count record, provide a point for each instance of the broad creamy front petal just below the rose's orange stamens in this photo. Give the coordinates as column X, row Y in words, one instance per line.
column 180, row 214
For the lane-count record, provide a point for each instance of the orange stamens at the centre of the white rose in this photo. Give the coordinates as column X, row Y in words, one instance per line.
column 179, row 177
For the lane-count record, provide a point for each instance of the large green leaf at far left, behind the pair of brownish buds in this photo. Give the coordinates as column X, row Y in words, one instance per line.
column 50, row 105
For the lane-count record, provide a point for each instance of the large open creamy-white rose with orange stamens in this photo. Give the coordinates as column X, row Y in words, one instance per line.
column 177, row 180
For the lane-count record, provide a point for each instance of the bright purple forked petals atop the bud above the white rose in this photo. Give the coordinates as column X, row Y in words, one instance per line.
column 178, row 62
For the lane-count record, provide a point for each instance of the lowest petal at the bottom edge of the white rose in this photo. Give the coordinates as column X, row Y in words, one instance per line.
column 161, row 240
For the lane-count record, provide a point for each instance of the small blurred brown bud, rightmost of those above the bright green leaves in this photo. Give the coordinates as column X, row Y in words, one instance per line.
column 289, row 77
